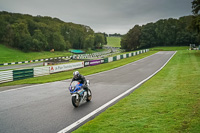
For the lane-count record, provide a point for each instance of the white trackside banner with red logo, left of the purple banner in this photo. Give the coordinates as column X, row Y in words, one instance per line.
column 65, row 67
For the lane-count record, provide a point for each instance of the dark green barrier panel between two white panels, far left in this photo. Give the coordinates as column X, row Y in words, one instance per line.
column 22, row 74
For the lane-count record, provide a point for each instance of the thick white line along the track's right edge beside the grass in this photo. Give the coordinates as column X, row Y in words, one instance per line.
column 110, row 102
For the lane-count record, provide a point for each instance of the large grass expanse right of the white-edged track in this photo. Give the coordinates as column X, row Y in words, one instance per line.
column 168, row 103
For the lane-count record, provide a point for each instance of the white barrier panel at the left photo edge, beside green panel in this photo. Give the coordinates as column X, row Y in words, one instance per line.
column 6, row 76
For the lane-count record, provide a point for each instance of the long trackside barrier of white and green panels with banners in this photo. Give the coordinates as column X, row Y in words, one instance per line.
column 12, row 75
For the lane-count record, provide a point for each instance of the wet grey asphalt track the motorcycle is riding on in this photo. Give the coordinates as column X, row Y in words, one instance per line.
column 47, row 108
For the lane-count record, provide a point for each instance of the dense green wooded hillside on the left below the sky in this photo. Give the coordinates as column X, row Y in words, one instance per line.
column 37, row 33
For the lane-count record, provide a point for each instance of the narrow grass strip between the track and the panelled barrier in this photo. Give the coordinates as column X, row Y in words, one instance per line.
column 84, row 71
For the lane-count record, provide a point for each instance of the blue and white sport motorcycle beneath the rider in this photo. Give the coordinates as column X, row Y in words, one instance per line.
column 79, row 95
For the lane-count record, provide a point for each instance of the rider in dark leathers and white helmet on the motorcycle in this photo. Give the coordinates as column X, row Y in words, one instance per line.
column 81, row 79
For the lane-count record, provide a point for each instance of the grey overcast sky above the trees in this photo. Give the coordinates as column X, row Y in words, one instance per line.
column 109, row 16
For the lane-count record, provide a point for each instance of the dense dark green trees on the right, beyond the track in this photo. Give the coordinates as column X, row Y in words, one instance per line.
column 164, row 32
